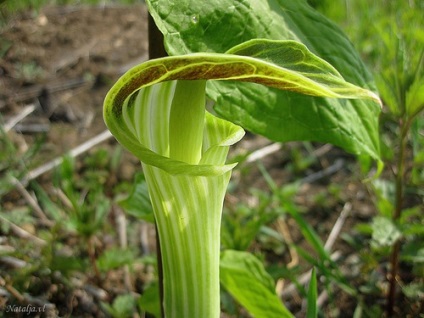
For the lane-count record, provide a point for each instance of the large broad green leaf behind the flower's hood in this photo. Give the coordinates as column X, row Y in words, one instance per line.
column 194, row 26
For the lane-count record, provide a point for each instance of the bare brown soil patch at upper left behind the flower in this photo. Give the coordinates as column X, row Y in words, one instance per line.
column 64, row 60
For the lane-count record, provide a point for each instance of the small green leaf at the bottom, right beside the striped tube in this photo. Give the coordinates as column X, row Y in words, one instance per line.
column 244, row 276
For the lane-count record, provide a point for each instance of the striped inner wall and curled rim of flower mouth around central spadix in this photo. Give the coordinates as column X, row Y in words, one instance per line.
column 143, row 128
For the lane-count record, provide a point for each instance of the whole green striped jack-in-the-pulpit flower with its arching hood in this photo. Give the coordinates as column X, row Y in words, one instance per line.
column 157, row 110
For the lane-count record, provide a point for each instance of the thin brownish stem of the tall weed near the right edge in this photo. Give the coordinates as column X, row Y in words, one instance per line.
column 400, row 179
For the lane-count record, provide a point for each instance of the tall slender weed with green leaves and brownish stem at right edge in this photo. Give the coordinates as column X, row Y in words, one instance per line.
column 401, row 83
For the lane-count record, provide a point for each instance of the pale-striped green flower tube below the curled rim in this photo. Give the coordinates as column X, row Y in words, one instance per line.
column 188, row 213
